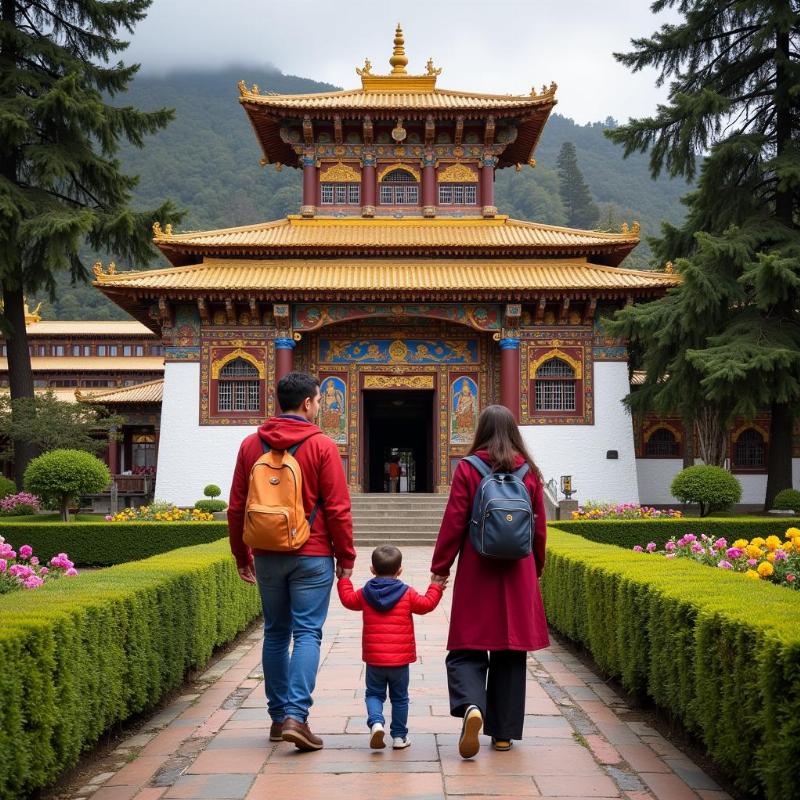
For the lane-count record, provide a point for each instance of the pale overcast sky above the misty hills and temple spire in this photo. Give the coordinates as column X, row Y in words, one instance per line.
column 499, row 46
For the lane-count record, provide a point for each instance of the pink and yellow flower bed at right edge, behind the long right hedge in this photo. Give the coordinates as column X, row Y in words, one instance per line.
column 760, row 559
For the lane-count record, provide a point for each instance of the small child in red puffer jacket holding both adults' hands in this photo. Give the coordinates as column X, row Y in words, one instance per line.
column 388, row 644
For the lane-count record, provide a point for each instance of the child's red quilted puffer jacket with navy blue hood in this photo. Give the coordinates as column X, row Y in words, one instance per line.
column 387, row 638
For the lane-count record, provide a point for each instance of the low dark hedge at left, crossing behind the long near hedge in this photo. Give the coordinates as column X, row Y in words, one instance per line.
column 103, row 544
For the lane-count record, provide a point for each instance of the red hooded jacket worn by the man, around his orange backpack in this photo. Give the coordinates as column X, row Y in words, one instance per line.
column 324, row 482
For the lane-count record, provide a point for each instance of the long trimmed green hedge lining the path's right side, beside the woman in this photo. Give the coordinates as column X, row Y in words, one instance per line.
column 718, row 651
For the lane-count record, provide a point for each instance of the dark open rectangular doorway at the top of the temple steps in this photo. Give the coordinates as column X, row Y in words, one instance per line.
column 398, row 426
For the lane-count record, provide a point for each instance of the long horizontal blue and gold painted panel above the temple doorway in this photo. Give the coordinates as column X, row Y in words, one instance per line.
column 398, row 351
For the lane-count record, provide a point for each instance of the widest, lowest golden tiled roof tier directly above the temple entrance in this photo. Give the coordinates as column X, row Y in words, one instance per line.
column 362, row 278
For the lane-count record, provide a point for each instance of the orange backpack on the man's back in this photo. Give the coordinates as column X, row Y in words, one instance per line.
column 274, row 515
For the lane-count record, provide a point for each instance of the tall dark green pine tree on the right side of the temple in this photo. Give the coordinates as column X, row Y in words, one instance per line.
column 732, row 106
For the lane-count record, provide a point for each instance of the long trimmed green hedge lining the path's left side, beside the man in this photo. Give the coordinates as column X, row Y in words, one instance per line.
column 80, row 655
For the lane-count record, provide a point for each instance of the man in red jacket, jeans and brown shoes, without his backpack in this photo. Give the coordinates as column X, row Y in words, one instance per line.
column 295, row 588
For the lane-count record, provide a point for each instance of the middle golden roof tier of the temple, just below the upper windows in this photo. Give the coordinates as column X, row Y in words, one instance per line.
column 409, row 235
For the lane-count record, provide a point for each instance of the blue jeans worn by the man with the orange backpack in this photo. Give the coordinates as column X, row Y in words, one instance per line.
column 295, row 593
